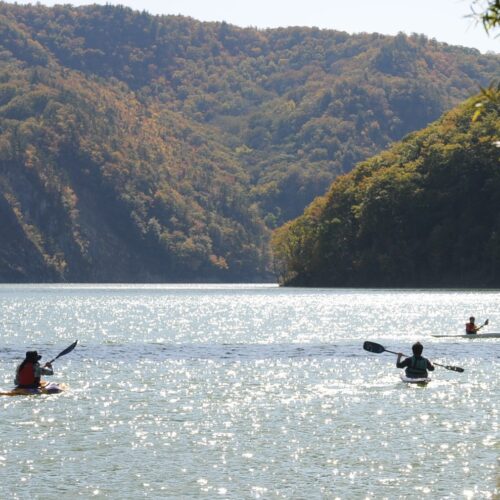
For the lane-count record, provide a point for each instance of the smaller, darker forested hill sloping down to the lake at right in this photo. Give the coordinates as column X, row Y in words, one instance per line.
column 424, row 213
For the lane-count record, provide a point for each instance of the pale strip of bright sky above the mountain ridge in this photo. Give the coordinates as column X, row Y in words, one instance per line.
column 445, row 20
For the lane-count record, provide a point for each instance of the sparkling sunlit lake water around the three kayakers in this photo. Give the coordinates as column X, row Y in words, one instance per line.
column 247, row 392
